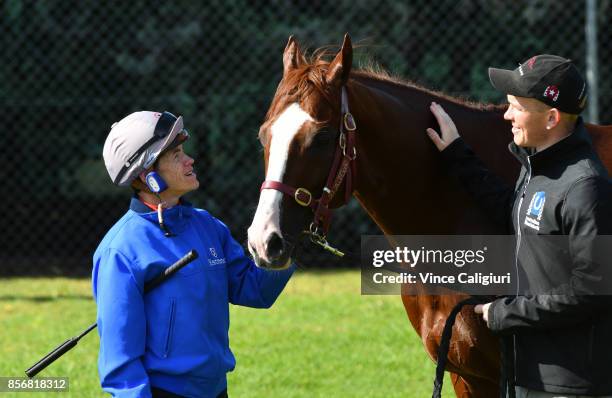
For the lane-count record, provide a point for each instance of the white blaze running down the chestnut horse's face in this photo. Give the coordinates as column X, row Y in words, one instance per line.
column 267, row 216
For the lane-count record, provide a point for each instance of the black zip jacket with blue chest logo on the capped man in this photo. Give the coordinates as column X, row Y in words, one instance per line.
column 562, row 340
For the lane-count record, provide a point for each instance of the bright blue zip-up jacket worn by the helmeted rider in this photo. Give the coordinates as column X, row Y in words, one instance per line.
column 176, row 336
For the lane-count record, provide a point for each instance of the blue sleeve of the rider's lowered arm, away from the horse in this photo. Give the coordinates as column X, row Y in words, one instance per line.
column 121, row 326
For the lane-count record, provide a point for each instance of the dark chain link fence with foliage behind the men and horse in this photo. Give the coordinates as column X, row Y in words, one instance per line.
column 69, row 69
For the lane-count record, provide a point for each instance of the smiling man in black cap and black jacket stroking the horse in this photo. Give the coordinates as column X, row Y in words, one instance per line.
column 562, row 333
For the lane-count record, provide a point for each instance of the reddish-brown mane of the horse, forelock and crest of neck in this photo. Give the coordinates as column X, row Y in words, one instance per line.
column 310, row 74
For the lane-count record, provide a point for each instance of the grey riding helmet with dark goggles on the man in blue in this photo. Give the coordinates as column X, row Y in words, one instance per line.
column 136, row 141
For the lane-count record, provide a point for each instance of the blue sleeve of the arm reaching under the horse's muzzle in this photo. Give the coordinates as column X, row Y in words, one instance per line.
column 249, row 285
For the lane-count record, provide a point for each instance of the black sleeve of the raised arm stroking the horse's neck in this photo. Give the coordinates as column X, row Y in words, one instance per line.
column 487, row 189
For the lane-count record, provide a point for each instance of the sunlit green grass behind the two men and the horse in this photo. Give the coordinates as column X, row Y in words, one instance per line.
column 322, row 338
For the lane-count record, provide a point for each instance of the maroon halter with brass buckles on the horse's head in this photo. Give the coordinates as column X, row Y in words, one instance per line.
column 343, row 168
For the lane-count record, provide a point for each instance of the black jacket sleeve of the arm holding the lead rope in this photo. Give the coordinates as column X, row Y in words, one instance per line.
column 587, row 219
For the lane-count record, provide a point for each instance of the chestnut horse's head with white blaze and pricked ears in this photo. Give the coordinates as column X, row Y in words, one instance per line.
column 299, row 135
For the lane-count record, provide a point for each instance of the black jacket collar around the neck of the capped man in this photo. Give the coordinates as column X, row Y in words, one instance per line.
column 551, row 155
